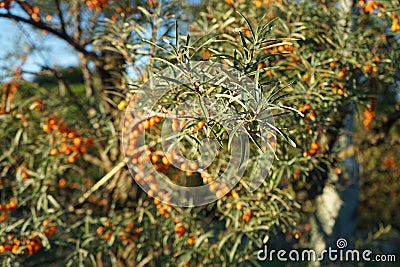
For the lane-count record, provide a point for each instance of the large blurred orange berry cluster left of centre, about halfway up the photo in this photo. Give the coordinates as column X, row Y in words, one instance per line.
column 71, row 143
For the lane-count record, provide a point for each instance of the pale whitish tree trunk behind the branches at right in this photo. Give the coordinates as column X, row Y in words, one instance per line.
column 336, row 208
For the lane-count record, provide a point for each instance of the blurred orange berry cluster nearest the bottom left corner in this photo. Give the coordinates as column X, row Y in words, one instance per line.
column 28, row 246
